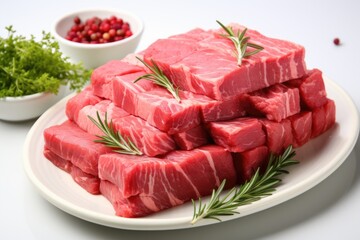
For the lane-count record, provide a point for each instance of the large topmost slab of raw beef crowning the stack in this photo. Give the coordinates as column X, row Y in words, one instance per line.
column 207, row 65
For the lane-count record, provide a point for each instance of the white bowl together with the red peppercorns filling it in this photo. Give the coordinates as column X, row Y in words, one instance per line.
column 95, row 37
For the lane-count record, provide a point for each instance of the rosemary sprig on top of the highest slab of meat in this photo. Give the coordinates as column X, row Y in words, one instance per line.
column 241, row 43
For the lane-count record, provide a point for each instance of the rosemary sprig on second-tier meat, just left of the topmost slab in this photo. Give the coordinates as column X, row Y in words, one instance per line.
column 158, row 77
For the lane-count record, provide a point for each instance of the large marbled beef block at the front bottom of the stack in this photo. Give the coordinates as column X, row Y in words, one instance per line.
column 160, row 183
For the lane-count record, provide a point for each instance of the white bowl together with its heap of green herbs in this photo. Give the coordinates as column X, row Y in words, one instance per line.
column 34, row 75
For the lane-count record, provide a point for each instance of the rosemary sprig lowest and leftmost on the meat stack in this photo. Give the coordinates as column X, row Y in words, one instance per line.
column 114, row 139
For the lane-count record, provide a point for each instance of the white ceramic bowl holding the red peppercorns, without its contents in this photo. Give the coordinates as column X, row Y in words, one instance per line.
column 95, row 55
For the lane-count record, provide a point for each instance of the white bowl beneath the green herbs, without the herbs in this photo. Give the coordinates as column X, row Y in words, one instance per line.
column 28, row 107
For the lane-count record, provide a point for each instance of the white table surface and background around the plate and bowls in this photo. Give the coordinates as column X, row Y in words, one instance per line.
column 331, row 210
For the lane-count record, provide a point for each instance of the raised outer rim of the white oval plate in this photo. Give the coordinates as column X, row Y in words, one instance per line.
column 183, row 222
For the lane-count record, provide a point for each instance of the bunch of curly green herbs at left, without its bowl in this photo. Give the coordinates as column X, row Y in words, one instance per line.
column 28, row 66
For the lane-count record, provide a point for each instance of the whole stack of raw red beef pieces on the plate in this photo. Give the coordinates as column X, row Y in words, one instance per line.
column 230, row 118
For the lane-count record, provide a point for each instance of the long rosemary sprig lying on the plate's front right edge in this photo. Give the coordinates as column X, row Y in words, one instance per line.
column 257, row 187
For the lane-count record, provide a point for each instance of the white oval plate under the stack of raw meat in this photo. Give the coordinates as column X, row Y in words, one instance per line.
column 318, row 159
